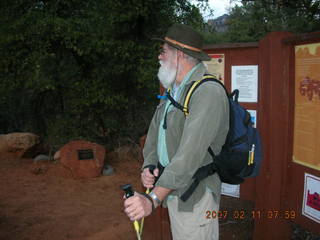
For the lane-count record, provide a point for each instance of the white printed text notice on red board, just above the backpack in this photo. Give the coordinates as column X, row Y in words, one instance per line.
column 245, row 78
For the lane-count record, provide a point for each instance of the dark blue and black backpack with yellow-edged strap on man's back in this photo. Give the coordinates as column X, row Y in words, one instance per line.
column 241, row 155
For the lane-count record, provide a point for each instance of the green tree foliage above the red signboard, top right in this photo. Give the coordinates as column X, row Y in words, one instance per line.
column 254, row 19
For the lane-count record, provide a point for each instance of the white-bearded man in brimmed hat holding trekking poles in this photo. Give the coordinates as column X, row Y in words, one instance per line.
column 180, row 143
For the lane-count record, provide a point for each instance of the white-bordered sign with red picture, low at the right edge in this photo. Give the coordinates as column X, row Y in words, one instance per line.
column 311, row 197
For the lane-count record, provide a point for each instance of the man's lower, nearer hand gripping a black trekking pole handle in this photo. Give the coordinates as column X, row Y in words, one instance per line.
column 137, row 207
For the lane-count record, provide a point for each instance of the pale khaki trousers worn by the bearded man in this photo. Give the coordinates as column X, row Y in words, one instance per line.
column 194, row 225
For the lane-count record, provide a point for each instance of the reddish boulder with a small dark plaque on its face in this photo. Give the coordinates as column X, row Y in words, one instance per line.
column 83, row 158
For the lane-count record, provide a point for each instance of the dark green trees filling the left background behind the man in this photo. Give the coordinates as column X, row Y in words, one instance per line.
column 83, row 69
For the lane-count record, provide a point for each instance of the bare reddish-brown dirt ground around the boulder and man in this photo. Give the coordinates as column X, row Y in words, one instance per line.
column 43, row 202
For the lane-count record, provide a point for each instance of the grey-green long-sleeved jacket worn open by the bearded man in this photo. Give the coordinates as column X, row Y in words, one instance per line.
column 188, row 139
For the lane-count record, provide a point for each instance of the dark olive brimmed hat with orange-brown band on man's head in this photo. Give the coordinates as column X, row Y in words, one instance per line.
column 185, row 39
